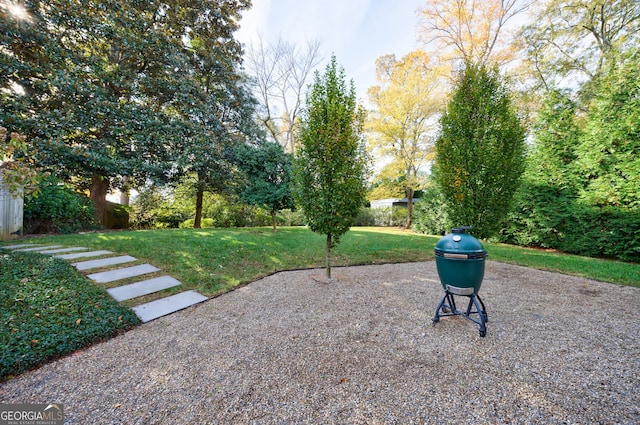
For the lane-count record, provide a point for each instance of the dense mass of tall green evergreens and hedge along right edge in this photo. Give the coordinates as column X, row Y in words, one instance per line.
column 581, row 186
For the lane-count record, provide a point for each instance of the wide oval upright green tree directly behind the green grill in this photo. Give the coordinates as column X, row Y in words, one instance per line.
column 480, row 153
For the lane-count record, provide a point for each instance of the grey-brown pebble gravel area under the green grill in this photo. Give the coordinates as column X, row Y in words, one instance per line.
column 362, row 350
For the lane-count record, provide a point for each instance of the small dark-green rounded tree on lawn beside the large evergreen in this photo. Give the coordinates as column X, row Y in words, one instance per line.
column 267, row 168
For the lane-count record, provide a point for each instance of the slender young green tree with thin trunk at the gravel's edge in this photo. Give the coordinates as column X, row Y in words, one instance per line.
column 330, row 166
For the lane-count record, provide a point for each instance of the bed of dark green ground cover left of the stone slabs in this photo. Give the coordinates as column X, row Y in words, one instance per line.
column 48, row 310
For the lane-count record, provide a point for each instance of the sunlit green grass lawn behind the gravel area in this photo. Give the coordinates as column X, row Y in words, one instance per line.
column 214, row 260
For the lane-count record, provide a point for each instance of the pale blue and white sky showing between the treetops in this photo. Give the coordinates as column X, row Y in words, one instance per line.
column 357, row 31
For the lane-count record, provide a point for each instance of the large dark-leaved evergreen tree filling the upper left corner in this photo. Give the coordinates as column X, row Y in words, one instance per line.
column 117, row 90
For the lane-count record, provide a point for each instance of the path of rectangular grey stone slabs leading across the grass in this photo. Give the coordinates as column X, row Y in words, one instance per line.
column 147, row 311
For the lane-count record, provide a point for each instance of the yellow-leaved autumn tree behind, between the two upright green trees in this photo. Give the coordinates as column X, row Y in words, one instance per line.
column 404, row 108
